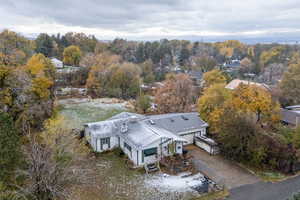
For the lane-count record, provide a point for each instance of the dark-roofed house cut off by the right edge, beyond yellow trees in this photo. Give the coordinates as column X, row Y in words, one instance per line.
column 291, row 115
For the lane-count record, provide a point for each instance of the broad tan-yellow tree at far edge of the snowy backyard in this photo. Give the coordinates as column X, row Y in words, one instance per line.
column 114, row 78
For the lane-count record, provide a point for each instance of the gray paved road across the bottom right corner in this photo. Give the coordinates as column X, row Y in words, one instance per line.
column 265, row 191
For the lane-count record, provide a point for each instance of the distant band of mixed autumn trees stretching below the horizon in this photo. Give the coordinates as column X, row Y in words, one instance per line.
column 155, row 59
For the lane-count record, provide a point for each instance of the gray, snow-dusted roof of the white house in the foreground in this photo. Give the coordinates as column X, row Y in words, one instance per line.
column 143, row 130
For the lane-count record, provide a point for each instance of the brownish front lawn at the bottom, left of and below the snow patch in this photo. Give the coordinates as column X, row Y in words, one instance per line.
column 113, row 179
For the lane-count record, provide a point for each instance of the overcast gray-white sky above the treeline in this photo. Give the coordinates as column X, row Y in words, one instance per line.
column 148, row 19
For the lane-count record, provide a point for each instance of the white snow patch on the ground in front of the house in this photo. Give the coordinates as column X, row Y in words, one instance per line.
column 181, row 183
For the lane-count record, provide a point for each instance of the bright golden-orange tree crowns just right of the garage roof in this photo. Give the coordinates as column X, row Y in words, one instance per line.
column 245, row 99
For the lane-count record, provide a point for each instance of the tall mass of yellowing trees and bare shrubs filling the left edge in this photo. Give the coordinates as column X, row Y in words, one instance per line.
column 37, row 156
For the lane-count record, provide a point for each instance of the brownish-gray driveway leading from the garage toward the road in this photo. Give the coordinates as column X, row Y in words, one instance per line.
column 220, row 170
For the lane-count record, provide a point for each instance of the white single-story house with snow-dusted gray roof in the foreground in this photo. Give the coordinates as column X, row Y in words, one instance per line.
column 146, row 139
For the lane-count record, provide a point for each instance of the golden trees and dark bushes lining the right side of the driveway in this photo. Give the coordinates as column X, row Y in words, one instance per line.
column 246, row 122
